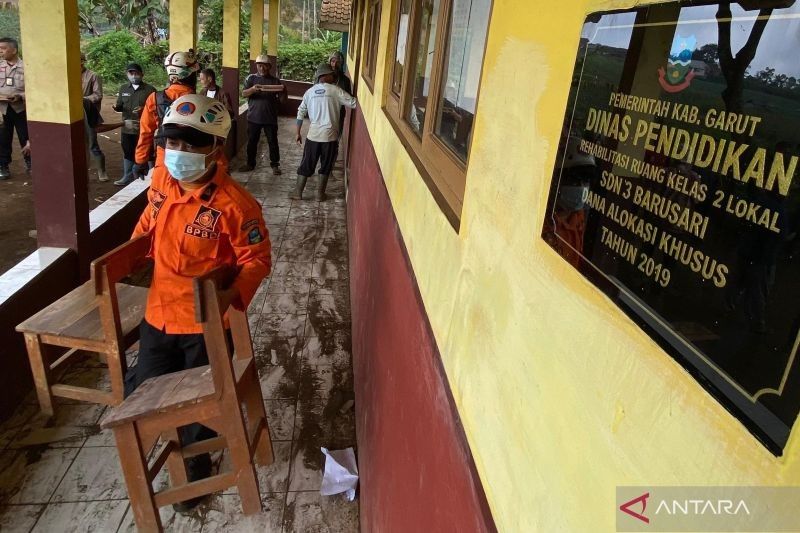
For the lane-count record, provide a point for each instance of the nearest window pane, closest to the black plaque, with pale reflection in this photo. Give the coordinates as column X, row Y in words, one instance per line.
column 466, row 38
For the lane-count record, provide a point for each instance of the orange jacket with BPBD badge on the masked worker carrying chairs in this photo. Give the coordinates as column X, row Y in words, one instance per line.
column 194, row 232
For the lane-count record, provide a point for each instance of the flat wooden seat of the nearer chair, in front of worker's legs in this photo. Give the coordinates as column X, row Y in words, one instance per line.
column 170, row 392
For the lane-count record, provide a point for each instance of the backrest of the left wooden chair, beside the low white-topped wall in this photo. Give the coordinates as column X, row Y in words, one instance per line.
column 106, row 271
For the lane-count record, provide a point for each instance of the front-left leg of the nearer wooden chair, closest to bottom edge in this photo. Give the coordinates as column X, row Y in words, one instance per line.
column 134, row 468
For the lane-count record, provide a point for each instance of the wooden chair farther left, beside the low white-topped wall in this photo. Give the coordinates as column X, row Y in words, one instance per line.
column 100, row 316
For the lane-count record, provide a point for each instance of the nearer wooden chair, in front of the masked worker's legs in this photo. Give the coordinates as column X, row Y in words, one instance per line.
column 211, row 395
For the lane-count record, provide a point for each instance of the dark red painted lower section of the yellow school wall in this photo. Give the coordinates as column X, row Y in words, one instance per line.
column 417, row 472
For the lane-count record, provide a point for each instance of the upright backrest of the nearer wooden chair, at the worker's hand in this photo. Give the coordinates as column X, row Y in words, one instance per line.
column 215, row 298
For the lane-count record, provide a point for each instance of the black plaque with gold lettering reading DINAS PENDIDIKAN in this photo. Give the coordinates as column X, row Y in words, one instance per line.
column 677, row 191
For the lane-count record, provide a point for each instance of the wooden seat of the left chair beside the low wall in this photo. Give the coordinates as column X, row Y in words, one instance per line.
column 76, row 315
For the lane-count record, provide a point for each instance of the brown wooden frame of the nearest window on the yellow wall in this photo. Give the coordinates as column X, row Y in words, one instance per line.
column 444, row 173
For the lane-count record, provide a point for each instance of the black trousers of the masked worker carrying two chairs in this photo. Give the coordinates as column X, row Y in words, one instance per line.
column 163, row 353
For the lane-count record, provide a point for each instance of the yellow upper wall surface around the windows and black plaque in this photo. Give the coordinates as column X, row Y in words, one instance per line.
column 562, row 397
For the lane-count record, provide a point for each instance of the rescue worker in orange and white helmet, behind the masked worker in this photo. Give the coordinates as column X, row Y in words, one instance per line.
column 182, row 68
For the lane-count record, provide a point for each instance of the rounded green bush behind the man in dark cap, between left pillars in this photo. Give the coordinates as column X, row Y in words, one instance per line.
column 108, row 55
